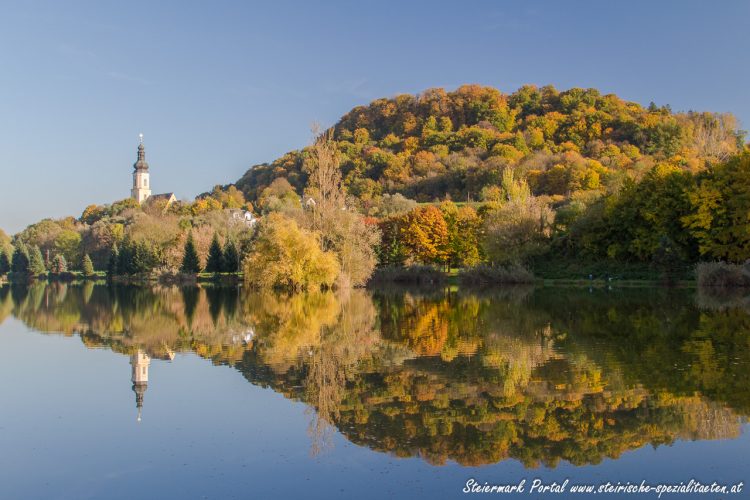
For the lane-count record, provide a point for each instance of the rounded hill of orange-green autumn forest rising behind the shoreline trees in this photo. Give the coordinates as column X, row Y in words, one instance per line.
column 570, row 144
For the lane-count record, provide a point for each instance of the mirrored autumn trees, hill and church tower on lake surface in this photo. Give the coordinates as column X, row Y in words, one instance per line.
column 536, row 375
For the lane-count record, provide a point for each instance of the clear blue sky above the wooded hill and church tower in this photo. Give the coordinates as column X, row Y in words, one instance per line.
column 218, row 86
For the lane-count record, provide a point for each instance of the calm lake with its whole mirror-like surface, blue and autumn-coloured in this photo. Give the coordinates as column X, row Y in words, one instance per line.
column 222, row 393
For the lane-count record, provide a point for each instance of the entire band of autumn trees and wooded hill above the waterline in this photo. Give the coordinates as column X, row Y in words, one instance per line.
column 570, row 185
